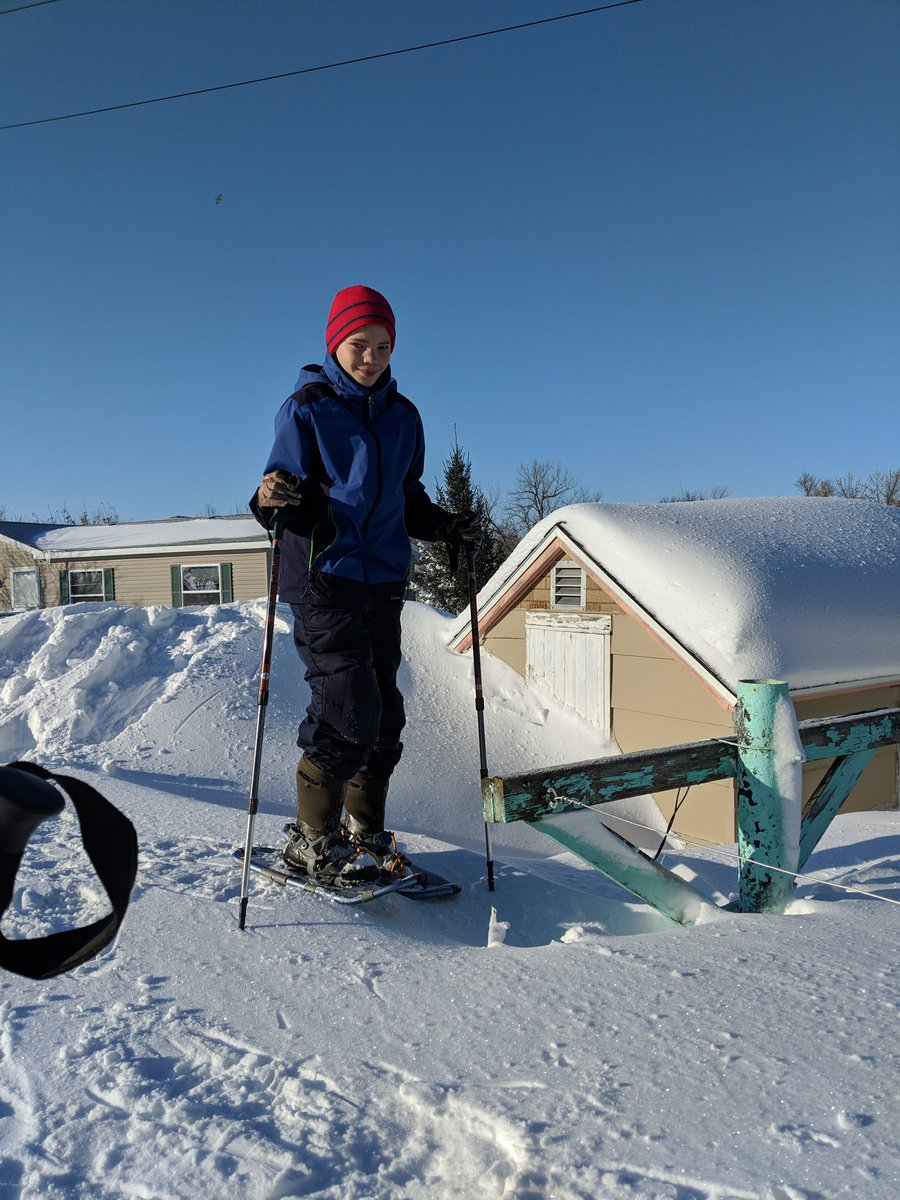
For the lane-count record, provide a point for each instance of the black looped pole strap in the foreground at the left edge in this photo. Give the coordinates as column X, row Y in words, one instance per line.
column 27, row 799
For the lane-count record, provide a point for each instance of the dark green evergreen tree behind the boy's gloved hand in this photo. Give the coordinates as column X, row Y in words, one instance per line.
column 435, row 584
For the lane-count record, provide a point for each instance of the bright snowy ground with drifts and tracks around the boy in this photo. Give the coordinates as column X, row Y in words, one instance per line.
column 550, row 1040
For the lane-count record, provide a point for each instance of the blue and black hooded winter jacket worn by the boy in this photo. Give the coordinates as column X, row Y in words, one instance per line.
column 359, row 454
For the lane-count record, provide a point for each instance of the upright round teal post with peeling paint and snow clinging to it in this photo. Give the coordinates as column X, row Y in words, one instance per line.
column 767, row 837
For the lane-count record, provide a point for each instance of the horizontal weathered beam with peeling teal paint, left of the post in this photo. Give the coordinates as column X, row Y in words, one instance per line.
column 553, row 790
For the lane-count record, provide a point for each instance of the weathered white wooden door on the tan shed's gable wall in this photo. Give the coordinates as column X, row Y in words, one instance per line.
column 569, row 656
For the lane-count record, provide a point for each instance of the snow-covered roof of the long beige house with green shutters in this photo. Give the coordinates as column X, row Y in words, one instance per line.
column 57, row 542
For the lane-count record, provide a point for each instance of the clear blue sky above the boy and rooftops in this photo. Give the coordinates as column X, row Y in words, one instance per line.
column 659, row 244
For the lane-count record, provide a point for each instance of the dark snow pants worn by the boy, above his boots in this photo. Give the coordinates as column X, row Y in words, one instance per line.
column 347, row 635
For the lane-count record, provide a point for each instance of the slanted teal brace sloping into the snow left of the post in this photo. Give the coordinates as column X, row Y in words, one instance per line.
column 619, row 861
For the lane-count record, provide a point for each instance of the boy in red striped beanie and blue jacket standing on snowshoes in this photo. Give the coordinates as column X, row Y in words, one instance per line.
column 346, row 472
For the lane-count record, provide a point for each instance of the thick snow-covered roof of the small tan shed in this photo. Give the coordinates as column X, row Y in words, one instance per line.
column 805, row 590
